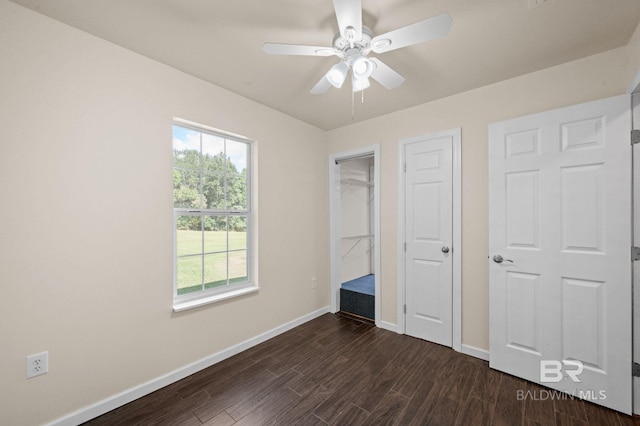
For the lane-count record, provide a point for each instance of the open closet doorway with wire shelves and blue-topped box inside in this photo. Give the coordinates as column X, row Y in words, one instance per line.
column 355, row 235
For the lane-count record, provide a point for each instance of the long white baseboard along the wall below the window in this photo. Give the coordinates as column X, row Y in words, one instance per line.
column 132, row 394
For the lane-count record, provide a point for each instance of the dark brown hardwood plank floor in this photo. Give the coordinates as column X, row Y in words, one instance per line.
column 337, row 370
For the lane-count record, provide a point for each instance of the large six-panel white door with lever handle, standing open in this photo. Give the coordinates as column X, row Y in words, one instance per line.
column 560, row 219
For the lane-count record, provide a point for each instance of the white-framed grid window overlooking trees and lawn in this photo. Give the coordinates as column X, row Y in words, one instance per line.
column 212, row 216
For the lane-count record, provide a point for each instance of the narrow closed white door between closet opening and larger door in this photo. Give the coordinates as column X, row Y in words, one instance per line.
column 428, row 236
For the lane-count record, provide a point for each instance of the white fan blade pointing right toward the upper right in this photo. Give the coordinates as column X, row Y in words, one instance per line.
column 429, row 29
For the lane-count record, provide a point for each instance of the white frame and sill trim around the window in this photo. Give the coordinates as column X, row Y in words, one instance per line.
column 195, row 300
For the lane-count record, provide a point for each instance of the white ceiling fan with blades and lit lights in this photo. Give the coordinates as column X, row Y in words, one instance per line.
column 355, row 41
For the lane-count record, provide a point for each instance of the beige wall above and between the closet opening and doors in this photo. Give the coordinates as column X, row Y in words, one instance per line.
column 599, row 76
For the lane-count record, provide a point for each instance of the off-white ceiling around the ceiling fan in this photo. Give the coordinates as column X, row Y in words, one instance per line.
column 221, row 41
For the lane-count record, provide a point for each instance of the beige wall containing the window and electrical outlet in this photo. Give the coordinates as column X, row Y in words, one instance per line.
column 86, row 218
